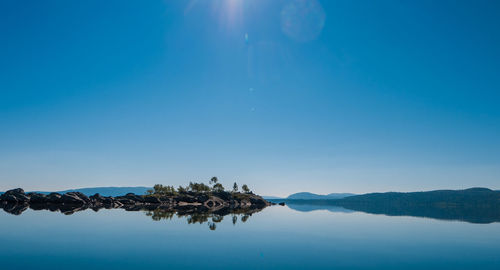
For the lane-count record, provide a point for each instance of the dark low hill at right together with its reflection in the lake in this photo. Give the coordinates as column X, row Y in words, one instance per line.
column 475, row 205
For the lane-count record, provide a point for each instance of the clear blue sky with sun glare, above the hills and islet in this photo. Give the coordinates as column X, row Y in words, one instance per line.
column 286, row 96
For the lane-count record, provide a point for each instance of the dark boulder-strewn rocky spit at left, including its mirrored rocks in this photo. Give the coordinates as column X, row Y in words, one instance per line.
column 17, row 201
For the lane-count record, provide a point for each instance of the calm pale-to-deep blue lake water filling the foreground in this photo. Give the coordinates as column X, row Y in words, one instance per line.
column 276, row 238
